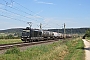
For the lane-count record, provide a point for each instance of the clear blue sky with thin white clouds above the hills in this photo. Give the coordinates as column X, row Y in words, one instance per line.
column 51, row 13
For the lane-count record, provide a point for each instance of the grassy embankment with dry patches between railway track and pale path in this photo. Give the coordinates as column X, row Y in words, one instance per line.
column 62, row 50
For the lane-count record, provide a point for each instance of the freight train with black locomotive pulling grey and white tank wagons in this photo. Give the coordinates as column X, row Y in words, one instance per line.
column 30, row 35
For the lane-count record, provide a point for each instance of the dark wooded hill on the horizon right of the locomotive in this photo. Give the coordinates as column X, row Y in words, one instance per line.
column 71, row 30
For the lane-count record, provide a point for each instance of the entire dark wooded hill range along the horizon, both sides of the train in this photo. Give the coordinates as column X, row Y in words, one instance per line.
column 68, row 31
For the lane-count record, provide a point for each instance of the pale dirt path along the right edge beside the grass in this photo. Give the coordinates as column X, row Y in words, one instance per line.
column 87, row 49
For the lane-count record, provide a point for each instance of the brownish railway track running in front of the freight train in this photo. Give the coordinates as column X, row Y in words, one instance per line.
column 21, row 44
